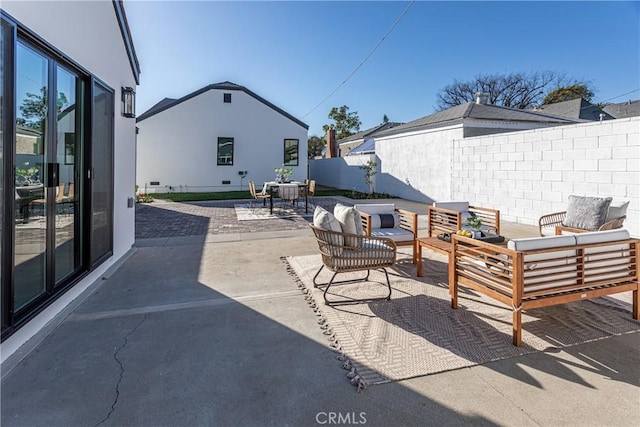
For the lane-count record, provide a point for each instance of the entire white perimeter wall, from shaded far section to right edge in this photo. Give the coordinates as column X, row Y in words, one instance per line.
column 525, row 174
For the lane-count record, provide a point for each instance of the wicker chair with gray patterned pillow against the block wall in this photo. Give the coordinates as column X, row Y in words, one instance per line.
column 585, row 213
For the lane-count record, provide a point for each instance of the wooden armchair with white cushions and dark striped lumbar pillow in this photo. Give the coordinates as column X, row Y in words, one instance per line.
column 385, row 220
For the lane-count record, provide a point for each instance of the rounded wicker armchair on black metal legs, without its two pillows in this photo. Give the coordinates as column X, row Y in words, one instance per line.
column 364, row 253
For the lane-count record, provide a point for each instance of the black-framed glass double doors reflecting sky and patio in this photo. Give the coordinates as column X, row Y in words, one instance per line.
column 48, row 158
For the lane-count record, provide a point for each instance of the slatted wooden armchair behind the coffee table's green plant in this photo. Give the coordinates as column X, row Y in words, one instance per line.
column 449, row 217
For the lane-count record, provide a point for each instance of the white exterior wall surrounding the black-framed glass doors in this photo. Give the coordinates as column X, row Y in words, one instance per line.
column 92, row 39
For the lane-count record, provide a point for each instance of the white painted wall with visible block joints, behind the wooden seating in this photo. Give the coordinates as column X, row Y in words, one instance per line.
column 526, row 174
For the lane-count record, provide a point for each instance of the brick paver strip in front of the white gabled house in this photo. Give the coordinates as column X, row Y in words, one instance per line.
column 169, row 219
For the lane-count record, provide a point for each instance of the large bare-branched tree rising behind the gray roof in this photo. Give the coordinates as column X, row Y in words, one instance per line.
column 515, row 90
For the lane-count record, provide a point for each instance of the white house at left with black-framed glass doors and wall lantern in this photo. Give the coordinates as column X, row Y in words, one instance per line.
column 82, row 52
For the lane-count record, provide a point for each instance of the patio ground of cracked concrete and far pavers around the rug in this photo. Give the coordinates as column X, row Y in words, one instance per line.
column 208, row 328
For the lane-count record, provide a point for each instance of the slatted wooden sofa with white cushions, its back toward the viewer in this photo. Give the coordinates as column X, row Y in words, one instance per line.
column 543, row 271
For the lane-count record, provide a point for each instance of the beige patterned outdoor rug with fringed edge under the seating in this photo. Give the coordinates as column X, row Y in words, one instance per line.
column 417, row 332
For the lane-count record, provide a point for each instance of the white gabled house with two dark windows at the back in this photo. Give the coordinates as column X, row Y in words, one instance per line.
column 217, row 139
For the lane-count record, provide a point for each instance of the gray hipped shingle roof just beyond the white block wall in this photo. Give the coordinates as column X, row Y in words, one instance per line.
column 473, row 110
